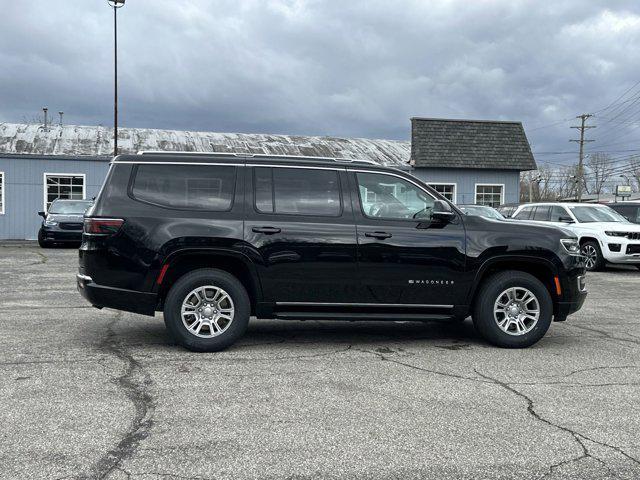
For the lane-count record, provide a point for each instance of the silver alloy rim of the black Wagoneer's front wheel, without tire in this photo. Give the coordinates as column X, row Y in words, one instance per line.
column 516, row 311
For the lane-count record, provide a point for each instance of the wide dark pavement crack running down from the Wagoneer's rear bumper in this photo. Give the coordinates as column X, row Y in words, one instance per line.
column 135, row 382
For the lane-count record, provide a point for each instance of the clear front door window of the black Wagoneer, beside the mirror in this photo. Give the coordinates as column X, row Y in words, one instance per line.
column 386, row 196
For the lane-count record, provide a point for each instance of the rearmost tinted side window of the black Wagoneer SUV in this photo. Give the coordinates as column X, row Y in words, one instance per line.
column 198, row 187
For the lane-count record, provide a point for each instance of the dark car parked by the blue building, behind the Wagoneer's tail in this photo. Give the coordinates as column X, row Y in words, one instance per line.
column 63, row 222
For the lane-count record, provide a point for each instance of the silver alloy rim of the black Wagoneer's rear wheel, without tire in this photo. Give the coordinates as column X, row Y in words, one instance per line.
column 207, row 311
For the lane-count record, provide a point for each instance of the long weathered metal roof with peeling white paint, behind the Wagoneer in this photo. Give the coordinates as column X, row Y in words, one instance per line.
column 90, row 141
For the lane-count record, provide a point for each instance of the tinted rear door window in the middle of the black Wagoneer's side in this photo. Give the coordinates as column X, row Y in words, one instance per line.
column 296, row 191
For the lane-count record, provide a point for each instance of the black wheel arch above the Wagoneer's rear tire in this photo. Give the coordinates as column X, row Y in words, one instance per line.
column 182, row 262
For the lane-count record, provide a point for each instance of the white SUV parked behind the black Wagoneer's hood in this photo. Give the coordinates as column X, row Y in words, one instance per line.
column 604, row 234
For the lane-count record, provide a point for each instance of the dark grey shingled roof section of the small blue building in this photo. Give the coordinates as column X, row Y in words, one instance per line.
column 477, row 144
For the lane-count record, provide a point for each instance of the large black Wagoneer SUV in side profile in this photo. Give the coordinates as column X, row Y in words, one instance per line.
column 211, row 239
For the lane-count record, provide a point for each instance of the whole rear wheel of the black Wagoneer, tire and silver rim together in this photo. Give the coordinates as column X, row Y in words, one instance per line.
column 215, row 332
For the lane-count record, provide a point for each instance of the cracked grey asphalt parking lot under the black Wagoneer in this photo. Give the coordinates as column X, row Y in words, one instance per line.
column 86, row 393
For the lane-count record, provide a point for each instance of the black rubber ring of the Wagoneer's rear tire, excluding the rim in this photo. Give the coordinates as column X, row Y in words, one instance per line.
column 191, row 281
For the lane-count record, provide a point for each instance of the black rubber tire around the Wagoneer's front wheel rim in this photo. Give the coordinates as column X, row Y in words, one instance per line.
column 484, row 316
